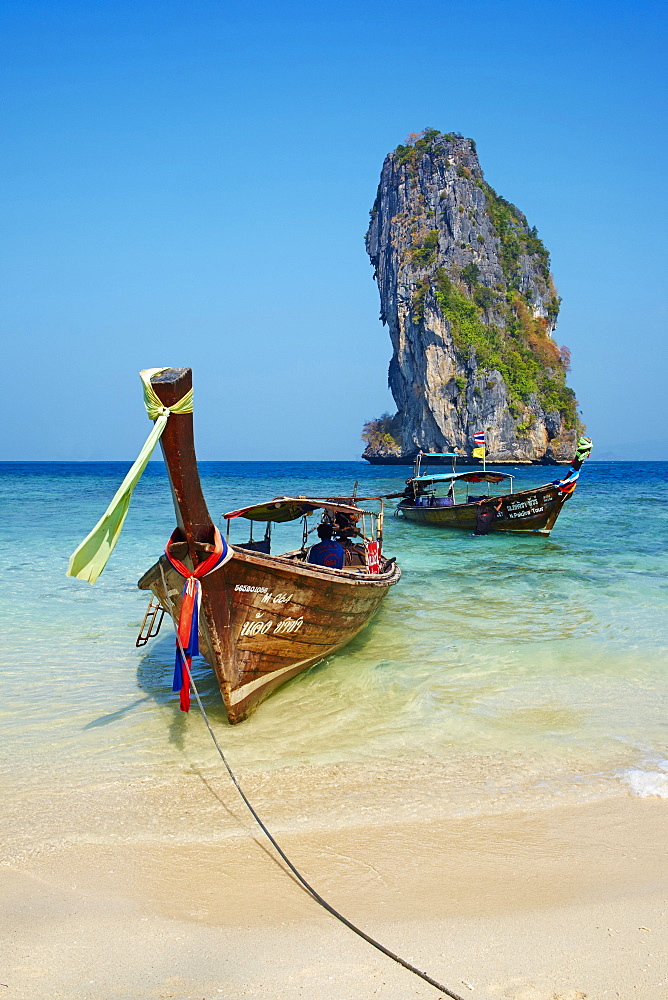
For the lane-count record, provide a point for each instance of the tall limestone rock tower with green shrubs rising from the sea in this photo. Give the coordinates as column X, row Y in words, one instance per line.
column 466, row 290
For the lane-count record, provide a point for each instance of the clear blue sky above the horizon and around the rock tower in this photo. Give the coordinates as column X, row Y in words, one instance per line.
column 189, row 184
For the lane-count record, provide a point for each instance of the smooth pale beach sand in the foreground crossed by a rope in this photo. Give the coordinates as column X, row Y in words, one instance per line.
column 561, row 903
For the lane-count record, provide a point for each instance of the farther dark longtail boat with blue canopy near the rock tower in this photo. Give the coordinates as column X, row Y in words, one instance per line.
column 434, row 499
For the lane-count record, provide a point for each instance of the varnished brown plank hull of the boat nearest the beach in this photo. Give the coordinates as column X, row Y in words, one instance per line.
column 264, row 619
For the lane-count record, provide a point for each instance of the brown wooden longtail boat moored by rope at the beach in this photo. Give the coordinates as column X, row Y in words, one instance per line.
column 264, row 618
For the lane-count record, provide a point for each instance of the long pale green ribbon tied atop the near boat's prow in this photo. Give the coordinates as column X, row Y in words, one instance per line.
column 91, row 556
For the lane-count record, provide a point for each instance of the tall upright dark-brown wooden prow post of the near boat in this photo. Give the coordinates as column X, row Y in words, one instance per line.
column 178, row 448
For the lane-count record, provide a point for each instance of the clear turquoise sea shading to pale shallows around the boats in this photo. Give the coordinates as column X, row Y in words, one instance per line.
column 502, row 672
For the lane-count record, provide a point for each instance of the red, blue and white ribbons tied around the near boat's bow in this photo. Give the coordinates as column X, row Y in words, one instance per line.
column 187, row 643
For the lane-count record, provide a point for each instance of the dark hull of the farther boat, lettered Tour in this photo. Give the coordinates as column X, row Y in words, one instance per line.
column 534, row 511
